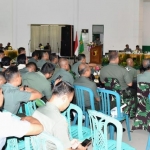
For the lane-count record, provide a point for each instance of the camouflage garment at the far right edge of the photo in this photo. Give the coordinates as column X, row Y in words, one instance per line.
column 142, row 119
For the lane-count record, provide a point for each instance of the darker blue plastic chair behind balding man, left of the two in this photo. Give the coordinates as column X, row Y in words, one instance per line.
column 79, row 94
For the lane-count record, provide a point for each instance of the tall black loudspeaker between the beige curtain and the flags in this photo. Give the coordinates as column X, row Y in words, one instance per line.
column 67, row 41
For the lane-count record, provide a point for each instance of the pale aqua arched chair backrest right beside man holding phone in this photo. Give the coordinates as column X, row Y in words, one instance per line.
column 77, row 120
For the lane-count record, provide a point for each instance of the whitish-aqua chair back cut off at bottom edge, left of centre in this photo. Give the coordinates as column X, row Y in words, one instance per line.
column 41, row 142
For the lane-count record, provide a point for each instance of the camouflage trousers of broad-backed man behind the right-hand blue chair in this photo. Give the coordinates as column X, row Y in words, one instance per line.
column 125, row 96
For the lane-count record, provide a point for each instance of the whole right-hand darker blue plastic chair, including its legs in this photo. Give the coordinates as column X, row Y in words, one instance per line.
column 105, row 98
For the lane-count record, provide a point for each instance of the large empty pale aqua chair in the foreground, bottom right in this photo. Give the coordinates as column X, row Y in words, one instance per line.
column 99, row 123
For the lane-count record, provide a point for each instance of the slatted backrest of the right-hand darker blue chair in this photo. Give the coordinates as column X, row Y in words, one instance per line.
column 105, row 98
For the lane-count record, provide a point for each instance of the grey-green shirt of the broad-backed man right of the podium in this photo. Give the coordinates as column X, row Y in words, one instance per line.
column 118, row 72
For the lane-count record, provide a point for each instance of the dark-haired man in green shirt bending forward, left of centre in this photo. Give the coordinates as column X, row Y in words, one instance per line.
column 38, row 80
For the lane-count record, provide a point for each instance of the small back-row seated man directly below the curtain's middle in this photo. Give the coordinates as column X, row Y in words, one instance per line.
column 43, row 60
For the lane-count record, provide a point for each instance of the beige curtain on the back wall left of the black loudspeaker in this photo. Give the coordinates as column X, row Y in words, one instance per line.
column 46, row 34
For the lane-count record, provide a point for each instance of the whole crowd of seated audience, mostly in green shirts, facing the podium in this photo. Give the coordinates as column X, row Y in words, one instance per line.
column 38, row 76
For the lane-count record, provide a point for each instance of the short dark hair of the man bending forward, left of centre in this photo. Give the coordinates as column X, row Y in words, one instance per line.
column 47, row 68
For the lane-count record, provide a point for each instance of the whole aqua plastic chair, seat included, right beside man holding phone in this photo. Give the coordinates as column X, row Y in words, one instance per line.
column 76, row 131
